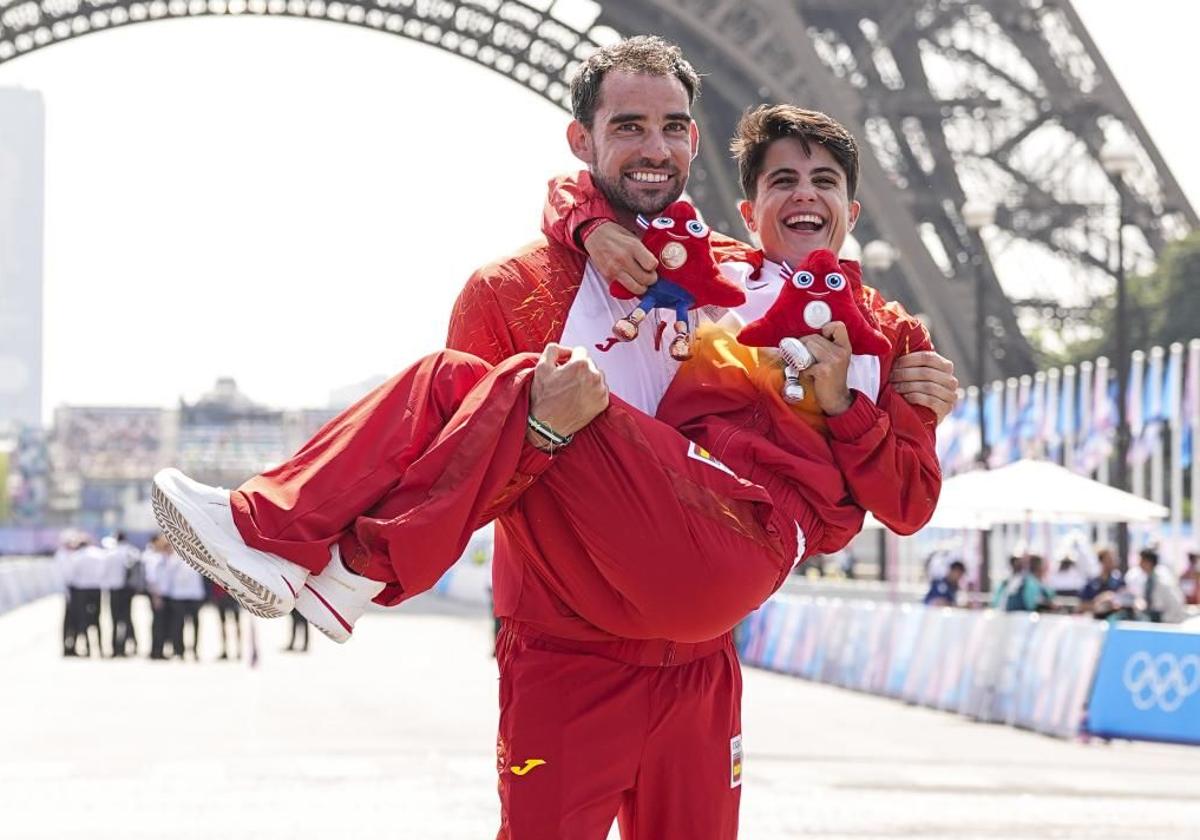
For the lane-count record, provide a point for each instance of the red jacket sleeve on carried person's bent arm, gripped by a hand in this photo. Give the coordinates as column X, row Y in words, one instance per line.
column 887, row 451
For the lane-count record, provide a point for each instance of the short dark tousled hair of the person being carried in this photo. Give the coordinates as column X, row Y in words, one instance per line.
column 759, row 128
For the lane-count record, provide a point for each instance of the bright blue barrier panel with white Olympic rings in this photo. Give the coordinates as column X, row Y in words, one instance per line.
column 1148, row 686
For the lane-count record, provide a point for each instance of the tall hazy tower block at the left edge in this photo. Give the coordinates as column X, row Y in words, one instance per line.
column 22, row 182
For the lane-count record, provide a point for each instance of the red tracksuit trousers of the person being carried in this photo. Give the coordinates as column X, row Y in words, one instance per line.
column 641, row 535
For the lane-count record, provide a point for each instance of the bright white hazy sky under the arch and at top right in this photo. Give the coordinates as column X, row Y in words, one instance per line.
column 297, row 203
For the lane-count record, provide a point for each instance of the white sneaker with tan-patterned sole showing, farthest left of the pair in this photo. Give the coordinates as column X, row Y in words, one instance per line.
column 199, row 523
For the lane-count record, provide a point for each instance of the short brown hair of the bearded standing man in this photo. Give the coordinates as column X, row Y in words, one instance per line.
column 647, row 55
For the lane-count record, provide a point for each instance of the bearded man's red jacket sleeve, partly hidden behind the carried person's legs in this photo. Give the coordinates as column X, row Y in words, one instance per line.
column 478, row 327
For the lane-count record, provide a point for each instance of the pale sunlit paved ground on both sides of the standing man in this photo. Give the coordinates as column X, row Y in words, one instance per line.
column 392, row 737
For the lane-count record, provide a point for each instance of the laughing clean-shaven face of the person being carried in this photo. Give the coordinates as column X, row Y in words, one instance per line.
column 802, row 205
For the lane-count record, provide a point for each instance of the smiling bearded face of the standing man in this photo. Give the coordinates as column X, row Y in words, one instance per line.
column 641, row 142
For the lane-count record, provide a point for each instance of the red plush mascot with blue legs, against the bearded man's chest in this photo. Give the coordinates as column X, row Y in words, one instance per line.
column 688, row 275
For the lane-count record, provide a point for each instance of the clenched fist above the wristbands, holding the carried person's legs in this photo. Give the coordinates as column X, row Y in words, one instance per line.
column 568, row 389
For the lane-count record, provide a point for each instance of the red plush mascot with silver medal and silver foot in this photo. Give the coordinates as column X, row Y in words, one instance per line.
column 820, row 291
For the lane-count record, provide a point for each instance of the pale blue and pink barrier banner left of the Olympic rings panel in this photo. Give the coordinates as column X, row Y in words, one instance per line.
column 1019, row 669
